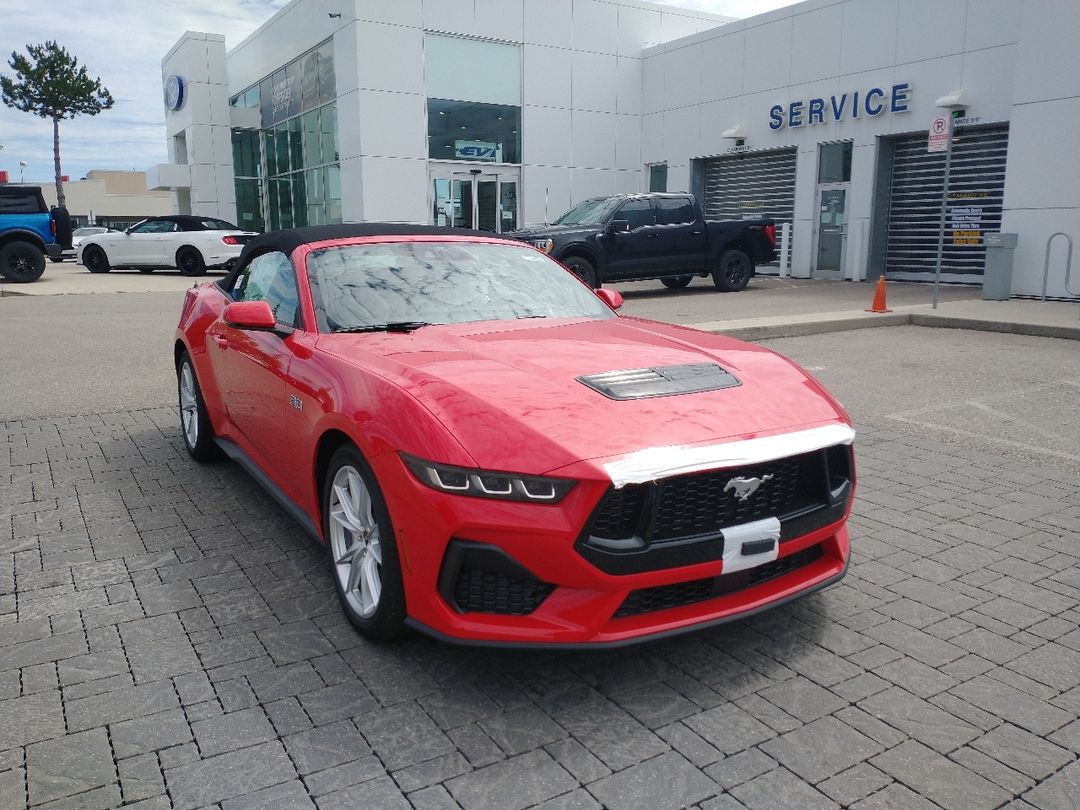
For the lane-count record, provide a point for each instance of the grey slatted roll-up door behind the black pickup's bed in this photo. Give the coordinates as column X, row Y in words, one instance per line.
column 751, row 186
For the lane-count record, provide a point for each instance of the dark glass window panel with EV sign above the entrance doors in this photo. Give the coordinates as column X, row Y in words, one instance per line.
column 474, row 132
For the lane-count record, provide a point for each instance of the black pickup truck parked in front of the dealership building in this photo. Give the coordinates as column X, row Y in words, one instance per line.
column 658, row 236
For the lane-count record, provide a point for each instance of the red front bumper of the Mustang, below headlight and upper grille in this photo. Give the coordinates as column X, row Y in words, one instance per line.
column 547, row 593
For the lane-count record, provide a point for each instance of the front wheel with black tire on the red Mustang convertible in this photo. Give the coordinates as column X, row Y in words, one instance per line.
column 360, row 543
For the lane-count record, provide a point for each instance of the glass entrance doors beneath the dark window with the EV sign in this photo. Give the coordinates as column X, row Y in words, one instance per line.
column 481, row 200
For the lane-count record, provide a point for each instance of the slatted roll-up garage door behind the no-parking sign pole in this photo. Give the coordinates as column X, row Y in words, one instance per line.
column 977, row 186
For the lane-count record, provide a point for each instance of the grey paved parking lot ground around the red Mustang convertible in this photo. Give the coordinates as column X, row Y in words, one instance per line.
column 170, row 639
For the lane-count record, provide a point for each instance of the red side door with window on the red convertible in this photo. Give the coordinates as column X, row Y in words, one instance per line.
column 252, row 368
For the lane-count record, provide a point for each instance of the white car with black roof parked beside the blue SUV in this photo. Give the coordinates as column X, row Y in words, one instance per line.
column 191, row 244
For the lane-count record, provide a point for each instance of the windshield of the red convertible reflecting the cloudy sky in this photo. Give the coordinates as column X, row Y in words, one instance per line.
column 440, row 283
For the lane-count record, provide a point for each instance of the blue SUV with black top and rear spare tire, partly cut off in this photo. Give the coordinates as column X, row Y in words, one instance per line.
column 29, row 233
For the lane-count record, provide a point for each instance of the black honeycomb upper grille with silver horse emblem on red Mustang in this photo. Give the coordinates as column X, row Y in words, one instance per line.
column 697, row 505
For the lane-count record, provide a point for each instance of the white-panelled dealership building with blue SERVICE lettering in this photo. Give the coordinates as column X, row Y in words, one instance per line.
column 836, row 117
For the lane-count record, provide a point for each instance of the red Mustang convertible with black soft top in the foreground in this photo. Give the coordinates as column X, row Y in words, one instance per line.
column 493, row 456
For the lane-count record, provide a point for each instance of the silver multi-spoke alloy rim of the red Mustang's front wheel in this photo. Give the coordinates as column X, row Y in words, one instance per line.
column 355, row 542
